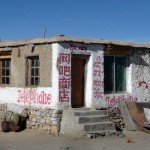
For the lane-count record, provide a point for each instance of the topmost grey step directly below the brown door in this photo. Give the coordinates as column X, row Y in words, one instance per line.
column 88, row 112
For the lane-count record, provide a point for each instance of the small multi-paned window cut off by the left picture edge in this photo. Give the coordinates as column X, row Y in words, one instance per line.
column 5, row 71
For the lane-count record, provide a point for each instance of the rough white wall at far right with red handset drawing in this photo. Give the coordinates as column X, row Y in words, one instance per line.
column 140, row 63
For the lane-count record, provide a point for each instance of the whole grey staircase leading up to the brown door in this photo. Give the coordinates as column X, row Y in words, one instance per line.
column 79, row 122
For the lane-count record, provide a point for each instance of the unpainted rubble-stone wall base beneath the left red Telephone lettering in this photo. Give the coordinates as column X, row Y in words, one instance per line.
column 40, row 119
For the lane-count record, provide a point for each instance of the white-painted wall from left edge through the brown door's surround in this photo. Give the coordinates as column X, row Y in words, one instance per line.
column 51, row 97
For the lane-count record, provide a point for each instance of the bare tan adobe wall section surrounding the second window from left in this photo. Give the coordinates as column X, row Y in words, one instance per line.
column 18, row 64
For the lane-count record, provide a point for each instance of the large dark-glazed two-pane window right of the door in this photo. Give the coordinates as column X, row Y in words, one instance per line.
column 114, row 74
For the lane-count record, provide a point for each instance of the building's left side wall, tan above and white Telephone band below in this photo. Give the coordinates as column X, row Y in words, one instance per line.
column 45, row 95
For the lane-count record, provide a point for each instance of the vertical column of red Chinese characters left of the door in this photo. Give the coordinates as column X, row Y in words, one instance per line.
column 64, row 77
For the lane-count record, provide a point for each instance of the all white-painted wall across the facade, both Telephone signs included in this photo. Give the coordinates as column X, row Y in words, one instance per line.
column 138, row 80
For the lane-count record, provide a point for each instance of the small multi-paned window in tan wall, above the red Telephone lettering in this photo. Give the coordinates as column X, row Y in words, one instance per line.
column 33, row 71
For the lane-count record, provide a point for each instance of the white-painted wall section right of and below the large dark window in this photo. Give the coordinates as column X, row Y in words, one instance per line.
column 138, row 80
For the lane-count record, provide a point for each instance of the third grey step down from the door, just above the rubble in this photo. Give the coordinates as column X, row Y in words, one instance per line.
column 99, row 126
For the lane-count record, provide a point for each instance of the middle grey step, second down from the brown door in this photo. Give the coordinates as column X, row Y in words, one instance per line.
column 93, row 119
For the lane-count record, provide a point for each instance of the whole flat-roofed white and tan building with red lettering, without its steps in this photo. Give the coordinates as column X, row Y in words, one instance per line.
column 50, row 75
